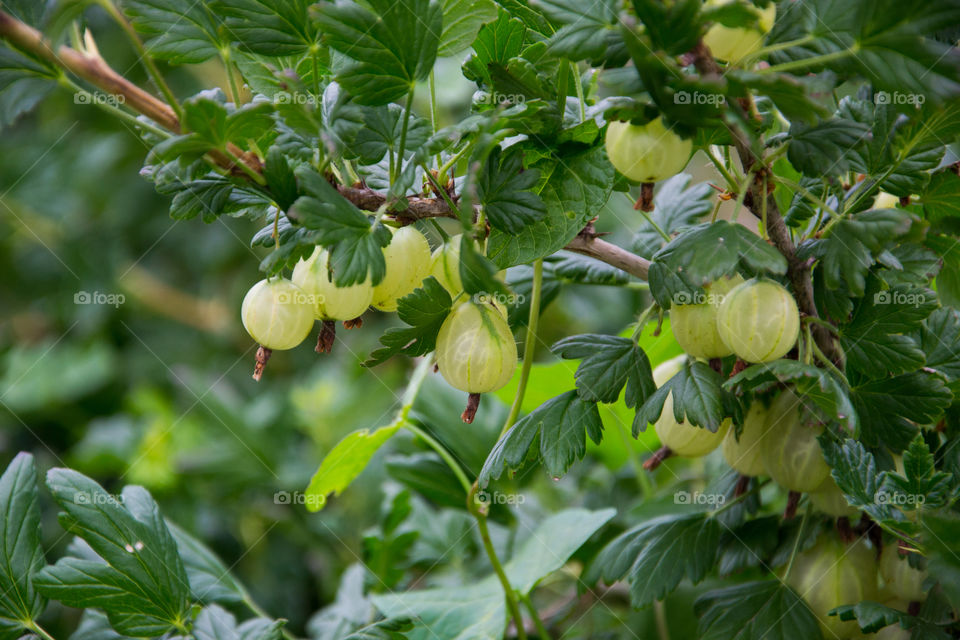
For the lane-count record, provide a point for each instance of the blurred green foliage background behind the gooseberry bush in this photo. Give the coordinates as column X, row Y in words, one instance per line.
column 122, row 355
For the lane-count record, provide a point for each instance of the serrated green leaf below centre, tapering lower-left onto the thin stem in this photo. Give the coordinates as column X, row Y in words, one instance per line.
column 556, row 431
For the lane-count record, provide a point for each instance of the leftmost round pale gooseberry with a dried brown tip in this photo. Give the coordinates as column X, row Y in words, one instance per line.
column 277, row 314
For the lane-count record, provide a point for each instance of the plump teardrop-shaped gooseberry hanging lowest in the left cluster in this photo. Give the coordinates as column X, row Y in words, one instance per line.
column 476, row 351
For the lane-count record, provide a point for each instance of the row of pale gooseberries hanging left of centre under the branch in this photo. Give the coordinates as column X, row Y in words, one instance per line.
column 475, row 349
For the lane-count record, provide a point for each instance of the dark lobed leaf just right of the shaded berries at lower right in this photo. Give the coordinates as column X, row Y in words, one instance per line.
column 855, row 471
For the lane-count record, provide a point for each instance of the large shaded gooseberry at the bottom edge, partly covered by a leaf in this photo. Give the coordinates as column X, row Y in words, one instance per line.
column 831, row 574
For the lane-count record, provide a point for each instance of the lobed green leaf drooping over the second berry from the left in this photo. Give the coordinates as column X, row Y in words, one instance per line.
column 355, row 245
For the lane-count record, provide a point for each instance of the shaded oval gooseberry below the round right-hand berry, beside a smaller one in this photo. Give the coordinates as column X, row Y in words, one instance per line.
column 790, row 451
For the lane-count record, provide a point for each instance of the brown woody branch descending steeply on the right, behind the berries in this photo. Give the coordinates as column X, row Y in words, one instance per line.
column 798, row 270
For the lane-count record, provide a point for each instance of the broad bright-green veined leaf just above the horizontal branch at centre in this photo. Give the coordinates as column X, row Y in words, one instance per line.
column 576, row 190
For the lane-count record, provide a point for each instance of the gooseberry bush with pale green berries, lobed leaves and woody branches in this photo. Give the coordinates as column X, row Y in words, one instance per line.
column 787, row 394
